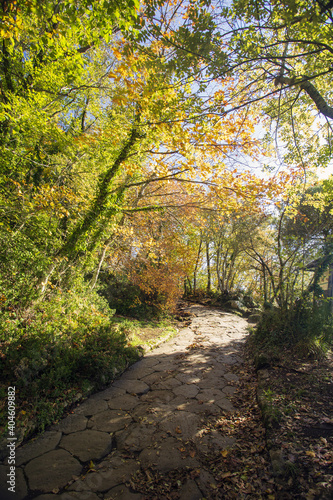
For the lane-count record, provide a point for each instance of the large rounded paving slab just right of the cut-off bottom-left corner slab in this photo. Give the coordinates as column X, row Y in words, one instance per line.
column 52, row 470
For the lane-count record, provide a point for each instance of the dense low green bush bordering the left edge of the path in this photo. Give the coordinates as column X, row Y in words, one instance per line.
column 62, row 346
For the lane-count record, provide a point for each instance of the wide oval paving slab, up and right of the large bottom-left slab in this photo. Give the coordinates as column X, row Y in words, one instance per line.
column 87, row 445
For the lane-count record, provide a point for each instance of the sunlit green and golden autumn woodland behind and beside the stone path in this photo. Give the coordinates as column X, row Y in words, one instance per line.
column 151, row 151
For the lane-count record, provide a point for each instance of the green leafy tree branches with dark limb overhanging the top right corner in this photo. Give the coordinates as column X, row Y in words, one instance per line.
column 280, row 56
